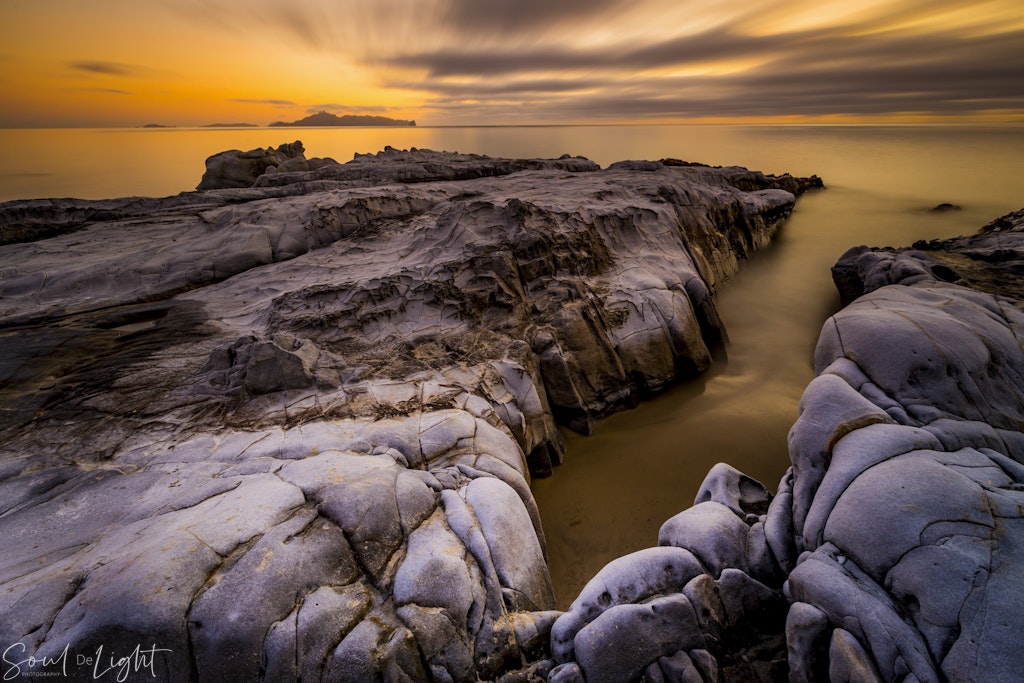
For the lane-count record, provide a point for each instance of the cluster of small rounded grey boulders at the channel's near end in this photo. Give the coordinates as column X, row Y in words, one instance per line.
column 705, row 607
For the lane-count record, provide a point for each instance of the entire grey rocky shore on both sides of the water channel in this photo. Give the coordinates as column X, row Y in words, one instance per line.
column 284, row 429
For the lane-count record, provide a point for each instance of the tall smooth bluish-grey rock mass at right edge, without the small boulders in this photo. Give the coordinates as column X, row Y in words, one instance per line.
column 923, row 592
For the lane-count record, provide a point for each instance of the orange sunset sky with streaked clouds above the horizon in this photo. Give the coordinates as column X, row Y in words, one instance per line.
column 186, row 63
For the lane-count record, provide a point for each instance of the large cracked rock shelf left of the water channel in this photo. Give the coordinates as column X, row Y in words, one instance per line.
column 287, row 432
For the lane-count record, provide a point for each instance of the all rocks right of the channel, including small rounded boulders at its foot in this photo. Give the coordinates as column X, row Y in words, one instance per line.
column 892, row 550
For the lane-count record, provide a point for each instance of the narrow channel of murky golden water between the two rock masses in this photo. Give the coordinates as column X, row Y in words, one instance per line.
column 639, row 468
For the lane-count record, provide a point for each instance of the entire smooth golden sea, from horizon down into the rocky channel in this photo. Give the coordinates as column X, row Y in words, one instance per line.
column 618, row 486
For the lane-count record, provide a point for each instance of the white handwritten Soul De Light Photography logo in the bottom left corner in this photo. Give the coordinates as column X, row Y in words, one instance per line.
column 101, row 665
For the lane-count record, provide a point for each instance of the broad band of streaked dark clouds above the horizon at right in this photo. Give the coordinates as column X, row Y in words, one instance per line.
column 812, row 73
